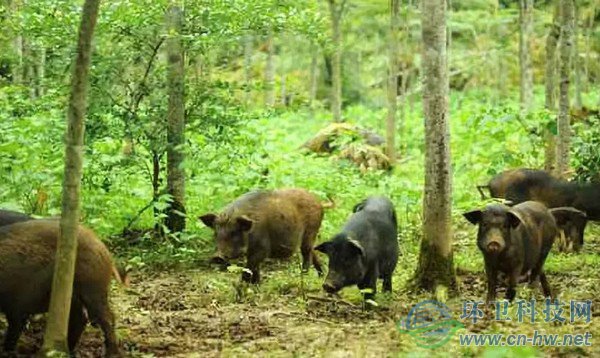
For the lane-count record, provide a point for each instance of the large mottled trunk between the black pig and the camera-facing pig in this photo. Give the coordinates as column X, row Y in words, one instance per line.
column 436, row 269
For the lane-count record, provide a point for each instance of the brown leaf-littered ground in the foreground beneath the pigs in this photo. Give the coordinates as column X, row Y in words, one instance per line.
column 204, row 312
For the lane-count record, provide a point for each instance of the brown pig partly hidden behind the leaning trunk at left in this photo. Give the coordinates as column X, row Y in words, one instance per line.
column 27, row 253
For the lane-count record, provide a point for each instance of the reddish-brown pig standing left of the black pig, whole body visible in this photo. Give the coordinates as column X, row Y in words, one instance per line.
column 267, row 224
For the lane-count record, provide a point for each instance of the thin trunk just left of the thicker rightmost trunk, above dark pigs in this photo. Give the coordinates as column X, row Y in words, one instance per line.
column 550, row 81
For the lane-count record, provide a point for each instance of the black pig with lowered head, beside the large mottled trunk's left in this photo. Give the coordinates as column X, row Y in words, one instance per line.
column 366, row 248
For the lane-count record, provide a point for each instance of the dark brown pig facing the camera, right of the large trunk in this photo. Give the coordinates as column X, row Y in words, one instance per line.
column 514, row 241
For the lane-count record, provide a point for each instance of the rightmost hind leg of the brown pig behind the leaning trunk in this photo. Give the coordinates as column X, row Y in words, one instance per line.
column 97, row 306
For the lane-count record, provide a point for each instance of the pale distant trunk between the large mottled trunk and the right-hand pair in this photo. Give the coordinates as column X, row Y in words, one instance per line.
column 525, row 34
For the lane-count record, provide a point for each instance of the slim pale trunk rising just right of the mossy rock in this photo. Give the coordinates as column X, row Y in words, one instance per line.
column 392, row 81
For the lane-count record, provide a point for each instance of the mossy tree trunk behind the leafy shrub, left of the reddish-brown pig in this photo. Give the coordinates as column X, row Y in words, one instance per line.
column 175, row 220
